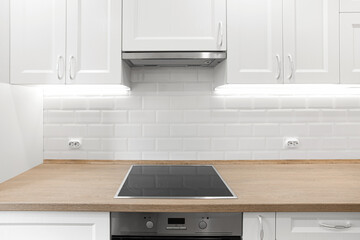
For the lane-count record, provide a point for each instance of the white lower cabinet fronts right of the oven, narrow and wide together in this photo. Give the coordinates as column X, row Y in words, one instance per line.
column 301, row 226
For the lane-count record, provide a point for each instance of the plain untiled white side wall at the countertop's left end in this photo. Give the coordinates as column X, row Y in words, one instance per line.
column 21, row 129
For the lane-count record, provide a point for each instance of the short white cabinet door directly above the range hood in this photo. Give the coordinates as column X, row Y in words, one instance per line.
column 174, row 25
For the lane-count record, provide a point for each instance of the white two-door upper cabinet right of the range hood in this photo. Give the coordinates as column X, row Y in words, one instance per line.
column 276, row 41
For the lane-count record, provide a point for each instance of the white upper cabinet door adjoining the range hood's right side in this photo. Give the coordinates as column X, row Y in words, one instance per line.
column 254, row 41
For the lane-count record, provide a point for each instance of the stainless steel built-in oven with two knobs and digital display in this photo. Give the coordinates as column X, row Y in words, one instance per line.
column 176, row 226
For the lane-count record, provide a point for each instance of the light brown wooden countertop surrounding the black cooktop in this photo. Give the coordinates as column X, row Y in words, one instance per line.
column 302, row 187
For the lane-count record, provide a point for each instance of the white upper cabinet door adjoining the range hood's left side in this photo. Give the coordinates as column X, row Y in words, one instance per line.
column 93, row 42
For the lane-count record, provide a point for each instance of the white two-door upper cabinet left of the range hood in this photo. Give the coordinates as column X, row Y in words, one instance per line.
column 72, row 42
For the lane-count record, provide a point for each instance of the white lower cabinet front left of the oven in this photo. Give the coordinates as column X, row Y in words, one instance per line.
column 54, row 226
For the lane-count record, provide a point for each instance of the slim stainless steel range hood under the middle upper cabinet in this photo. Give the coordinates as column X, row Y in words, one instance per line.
column 173, row 59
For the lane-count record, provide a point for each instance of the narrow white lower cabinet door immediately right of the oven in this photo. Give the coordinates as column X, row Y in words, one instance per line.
column 259, row 226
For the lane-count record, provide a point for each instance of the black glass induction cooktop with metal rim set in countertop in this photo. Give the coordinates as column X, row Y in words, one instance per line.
column 170, row 181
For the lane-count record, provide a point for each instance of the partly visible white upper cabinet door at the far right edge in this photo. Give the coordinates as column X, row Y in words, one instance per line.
column 350, row 48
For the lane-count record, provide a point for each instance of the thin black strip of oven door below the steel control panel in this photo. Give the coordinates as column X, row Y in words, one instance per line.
column 176, row 237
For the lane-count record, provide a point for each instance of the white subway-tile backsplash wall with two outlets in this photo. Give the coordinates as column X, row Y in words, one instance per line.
column 174, row 114
